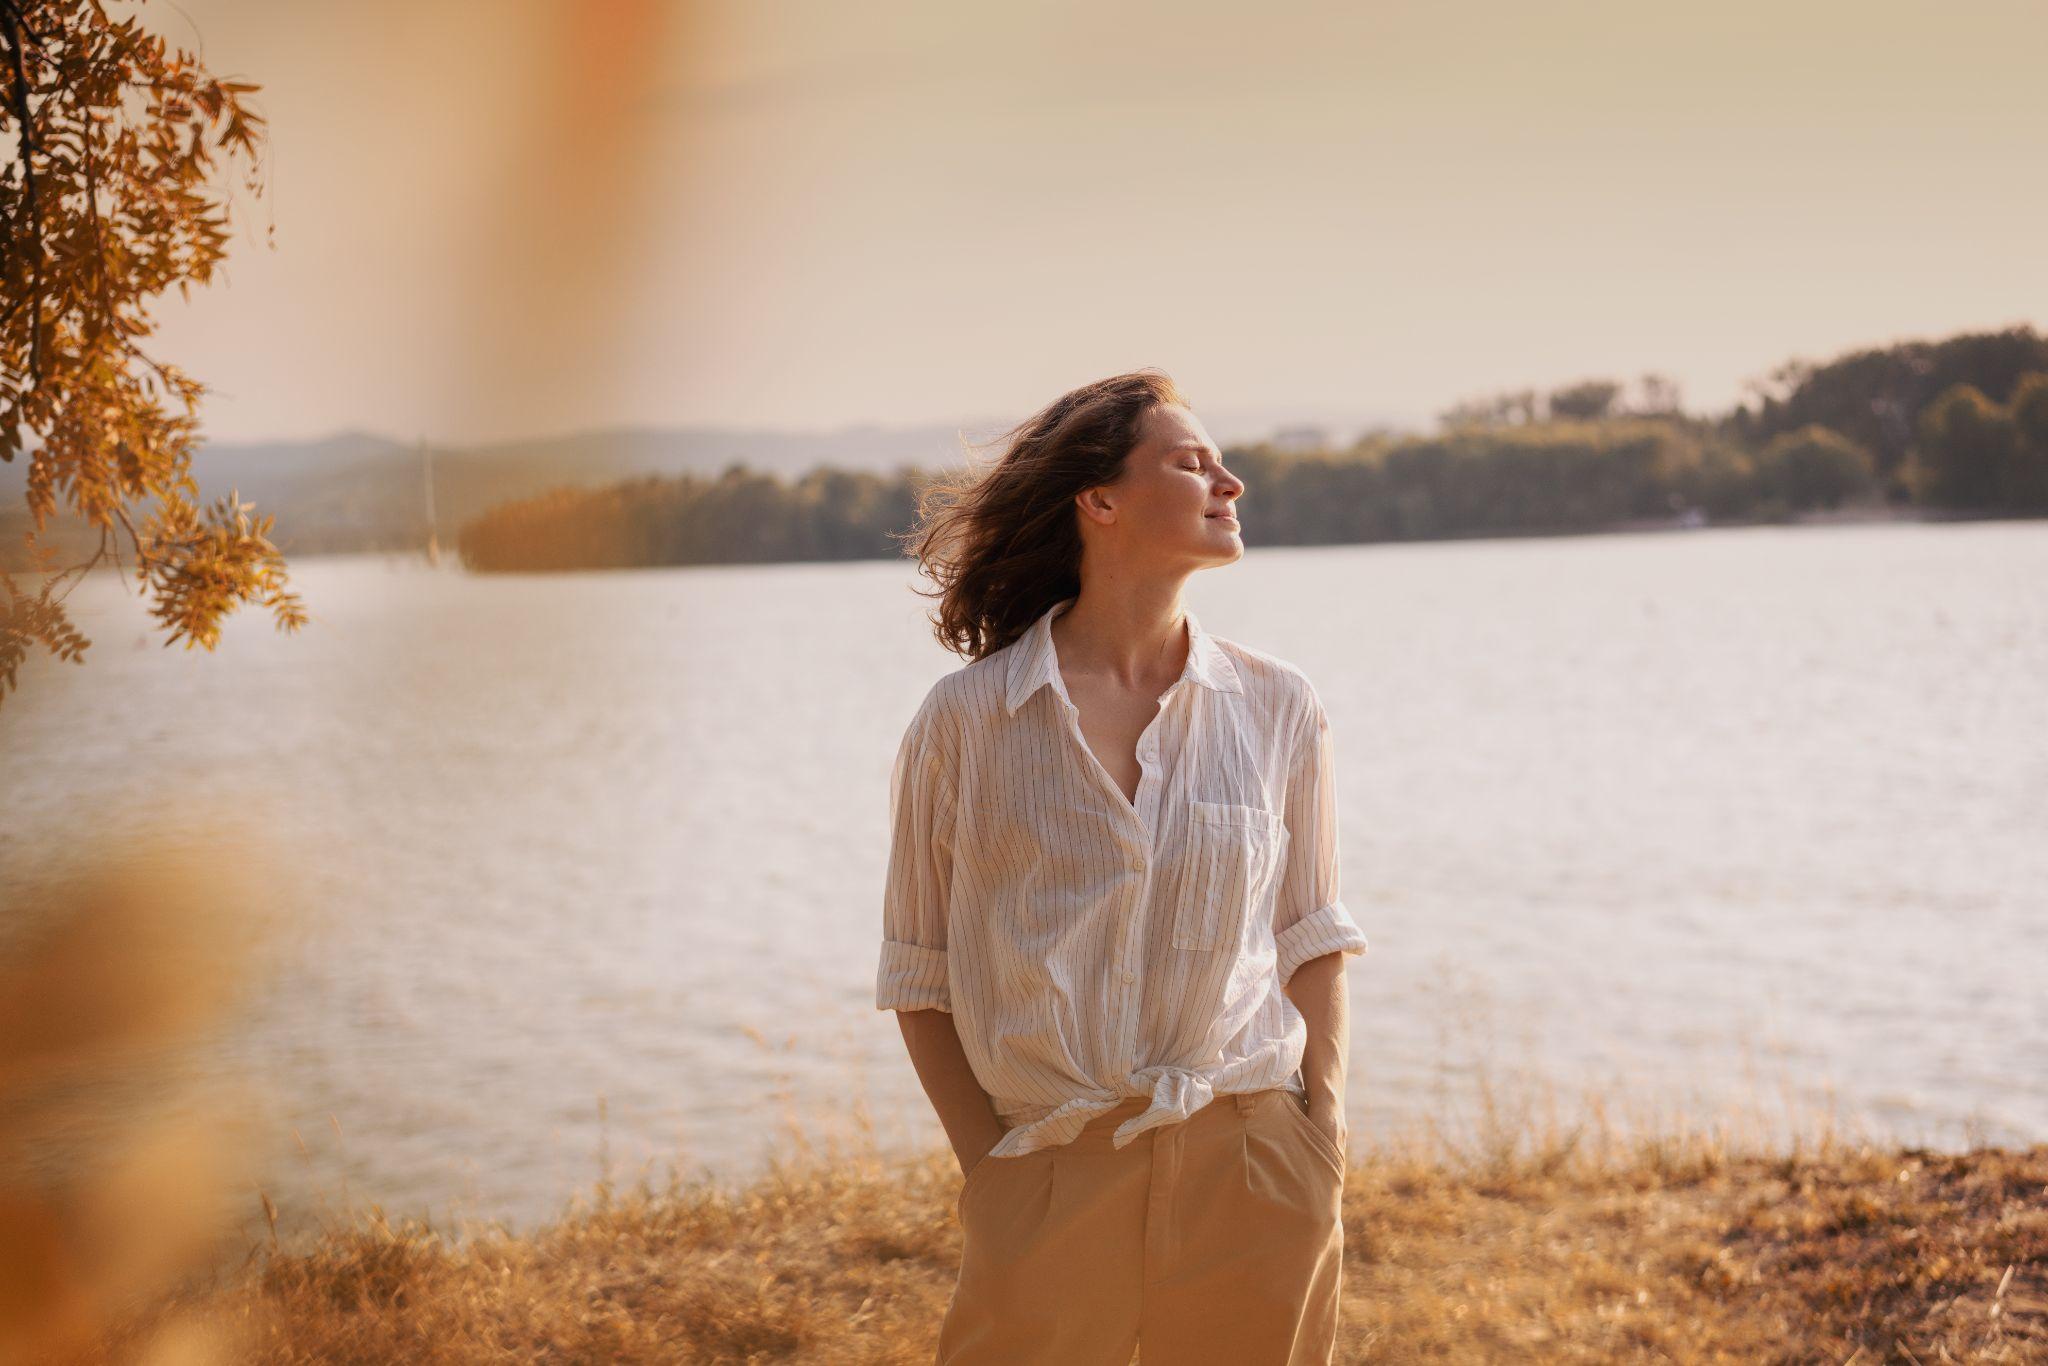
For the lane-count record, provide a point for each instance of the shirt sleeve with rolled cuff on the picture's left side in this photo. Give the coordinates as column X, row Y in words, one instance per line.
column 912, row 974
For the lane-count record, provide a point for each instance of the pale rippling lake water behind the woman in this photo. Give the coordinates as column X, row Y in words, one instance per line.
column 1695, row 816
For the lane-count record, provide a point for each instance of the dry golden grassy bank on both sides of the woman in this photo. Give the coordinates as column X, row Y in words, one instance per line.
column 1525, row 1244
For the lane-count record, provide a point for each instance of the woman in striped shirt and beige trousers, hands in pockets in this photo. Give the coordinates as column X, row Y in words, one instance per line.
column 1111, row 921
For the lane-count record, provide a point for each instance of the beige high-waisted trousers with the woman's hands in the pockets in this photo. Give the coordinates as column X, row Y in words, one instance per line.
column 1211, row 1240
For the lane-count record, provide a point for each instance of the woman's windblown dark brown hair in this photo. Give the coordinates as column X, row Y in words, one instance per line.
column 1005, row 544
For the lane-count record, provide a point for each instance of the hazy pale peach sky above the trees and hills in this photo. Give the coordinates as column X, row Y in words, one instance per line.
column 490, row 222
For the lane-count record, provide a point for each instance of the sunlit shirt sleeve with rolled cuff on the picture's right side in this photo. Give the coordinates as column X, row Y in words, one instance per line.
column 1310, row 921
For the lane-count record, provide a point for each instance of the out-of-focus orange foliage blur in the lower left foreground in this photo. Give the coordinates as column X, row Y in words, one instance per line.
column 122, row 1166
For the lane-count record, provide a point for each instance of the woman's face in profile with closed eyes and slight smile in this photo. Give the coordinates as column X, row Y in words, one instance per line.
column 1175, row 497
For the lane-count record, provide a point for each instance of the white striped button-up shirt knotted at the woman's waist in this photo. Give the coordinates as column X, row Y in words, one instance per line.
column 1093, row 947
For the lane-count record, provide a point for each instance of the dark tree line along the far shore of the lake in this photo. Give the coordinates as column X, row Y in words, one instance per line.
column 1951, row 427
